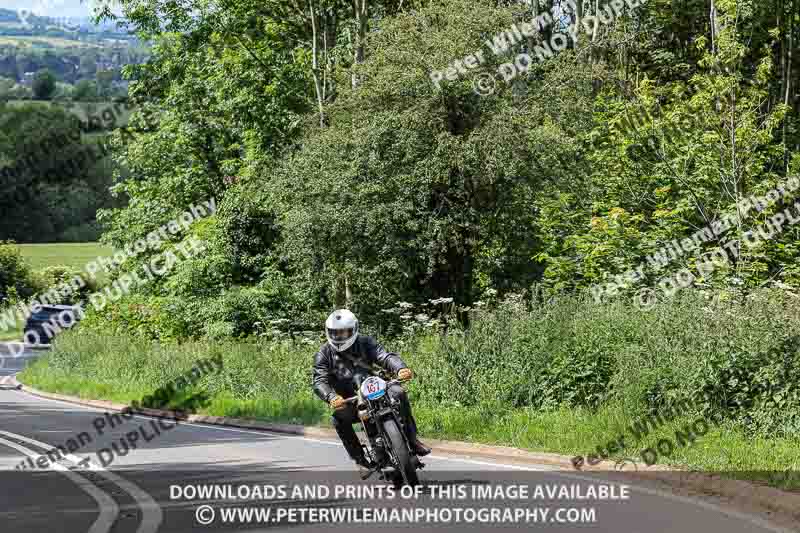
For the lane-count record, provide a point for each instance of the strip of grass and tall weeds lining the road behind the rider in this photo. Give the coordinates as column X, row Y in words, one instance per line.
column 562, row 376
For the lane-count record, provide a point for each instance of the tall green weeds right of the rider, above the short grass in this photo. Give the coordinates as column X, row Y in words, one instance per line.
column 738, row 359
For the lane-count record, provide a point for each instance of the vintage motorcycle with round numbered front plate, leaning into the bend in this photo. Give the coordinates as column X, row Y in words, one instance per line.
column 387, row 445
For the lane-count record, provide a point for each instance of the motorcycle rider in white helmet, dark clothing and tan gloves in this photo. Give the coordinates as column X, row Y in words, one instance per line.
column 342, row 364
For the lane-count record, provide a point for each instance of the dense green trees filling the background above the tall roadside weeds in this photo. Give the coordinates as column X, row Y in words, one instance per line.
column 345, row 176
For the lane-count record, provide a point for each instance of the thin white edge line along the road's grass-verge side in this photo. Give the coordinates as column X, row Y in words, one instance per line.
column 635, row 488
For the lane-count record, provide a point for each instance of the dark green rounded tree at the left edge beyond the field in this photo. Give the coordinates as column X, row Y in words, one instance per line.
column 53, row 181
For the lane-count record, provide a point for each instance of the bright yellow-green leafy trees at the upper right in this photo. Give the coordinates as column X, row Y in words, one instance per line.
column 654, row 177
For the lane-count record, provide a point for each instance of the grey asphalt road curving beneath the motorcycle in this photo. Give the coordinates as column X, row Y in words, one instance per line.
column 149, row 488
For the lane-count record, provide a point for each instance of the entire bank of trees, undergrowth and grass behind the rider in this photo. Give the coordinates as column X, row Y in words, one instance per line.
column 466, row 230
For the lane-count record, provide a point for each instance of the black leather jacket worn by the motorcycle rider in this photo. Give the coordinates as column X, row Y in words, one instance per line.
column 340, row 372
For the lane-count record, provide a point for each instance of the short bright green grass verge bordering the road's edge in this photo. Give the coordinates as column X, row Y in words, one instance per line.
column 271, row 381
